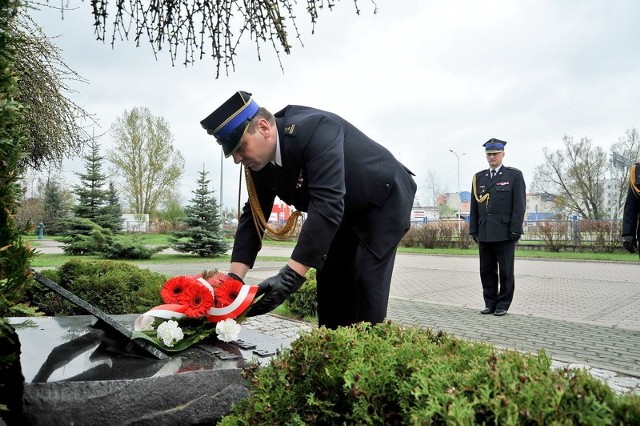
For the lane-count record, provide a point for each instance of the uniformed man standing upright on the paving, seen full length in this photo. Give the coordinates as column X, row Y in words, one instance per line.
column 497, row 214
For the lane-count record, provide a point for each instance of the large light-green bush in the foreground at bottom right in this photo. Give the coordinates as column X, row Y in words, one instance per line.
column 394, row 375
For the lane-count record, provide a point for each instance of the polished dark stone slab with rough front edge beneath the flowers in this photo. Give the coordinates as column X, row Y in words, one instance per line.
column 77, row 374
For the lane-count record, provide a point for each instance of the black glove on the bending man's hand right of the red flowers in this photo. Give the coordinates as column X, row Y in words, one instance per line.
column 275, row 290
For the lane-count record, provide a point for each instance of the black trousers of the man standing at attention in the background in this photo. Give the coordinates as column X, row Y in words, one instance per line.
column 496, row 273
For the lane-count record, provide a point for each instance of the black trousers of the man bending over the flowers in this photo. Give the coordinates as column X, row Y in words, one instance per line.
column 354, row 284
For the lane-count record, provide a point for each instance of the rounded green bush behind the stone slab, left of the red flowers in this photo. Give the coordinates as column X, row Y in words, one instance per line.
column 114, row 287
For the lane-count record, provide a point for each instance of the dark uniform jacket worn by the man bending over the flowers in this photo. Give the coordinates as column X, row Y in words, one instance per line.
column 340, row 177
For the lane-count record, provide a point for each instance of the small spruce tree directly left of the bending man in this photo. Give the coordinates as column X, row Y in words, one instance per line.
column 203, row 235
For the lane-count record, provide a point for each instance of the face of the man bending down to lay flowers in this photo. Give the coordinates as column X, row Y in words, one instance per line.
column 255, row 150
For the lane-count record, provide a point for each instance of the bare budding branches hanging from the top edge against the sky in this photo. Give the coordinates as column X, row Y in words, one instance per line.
column 194, row 29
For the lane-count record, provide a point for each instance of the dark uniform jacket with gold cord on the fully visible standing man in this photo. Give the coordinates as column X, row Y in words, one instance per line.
column 503, row 211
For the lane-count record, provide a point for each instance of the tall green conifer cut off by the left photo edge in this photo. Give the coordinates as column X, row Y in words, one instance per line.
column 15, row 256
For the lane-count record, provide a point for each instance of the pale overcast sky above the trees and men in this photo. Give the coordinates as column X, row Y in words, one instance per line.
column 421, row 78
